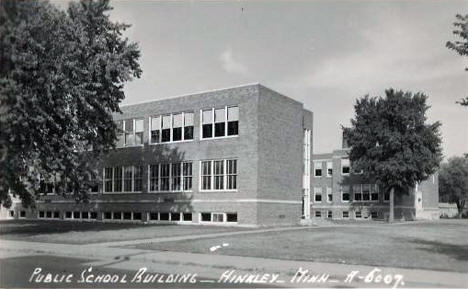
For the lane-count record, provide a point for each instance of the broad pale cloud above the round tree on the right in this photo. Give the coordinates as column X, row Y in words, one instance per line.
column 395, row 53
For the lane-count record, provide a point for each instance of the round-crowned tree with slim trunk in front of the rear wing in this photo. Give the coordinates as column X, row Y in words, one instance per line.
column 392, row 143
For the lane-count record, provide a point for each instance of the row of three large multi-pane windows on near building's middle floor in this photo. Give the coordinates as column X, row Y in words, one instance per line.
column 215, row 175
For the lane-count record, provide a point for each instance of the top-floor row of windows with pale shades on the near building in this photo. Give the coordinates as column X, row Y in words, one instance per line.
column 175, row 127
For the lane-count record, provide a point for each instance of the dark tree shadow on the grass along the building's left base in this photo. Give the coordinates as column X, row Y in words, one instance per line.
column 25, row 227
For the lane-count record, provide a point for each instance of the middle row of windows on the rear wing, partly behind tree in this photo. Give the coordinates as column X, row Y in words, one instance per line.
column 361, row 193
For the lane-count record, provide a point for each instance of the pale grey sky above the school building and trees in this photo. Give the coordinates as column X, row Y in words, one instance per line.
column 325, row 54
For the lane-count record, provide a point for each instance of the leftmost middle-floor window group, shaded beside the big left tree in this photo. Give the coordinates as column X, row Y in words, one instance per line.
column 123, row 179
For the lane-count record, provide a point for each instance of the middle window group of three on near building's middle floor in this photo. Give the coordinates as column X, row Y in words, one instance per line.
column 170, row 177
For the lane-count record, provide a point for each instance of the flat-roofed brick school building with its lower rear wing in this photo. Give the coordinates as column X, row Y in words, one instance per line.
column 236, row 156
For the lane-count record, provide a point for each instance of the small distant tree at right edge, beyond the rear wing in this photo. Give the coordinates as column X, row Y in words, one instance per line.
column 453, row 182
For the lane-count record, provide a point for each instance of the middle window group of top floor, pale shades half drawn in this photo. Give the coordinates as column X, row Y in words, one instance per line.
column 171, row 127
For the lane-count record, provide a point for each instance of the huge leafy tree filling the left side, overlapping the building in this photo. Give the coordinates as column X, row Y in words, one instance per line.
column 61, row 78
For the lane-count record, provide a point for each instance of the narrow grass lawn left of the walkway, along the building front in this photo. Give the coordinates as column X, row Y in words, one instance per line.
column 72, row 232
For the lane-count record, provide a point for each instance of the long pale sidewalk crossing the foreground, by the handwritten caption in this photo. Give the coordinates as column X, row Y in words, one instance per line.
column 213, row 266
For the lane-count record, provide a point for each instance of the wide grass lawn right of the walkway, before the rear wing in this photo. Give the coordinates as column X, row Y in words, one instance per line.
column 441, row 245
